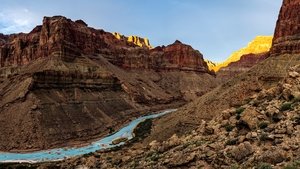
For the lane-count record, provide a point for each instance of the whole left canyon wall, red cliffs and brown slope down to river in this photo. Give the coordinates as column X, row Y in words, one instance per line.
column 66, row 83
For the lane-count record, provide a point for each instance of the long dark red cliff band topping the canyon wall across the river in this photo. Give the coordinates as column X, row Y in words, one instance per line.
column 59, row 36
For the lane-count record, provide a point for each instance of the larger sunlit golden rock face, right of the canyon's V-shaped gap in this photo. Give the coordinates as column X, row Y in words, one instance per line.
column 260, row 44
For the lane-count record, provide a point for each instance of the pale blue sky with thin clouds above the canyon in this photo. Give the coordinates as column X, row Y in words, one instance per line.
column 214, row 27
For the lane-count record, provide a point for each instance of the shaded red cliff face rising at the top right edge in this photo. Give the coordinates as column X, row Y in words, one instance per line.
column 287, row 32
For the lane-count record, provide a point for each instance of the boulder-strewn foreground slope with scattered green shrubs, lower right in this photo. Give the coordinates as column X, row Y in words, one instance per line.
column 263, row 133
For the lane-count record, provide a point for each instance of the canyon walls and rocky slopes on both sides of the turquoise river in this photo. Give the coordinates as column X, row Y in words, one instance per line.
column 244, row 115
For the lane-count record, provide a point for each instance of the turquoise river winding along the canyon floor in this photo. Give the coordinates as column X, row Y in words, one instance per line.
column 62, row 153
